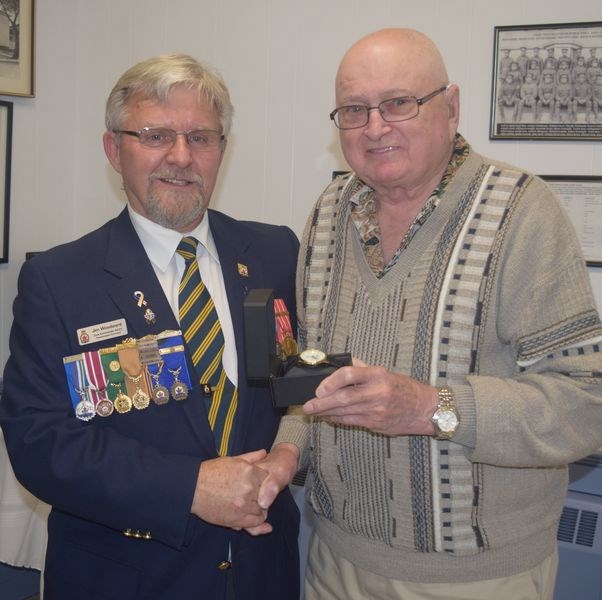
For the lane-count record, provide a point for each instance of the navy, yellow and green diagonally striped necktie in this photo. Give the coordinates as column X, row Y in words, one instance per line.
column 203, row 333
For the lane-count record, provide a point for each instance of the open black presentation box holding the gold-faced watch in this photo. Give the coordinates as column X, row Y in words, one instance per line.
column 292, row 380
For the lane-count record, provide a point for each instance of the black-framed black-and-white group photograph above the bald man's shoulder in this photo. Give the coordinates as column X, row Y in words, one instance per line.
column 547, row 82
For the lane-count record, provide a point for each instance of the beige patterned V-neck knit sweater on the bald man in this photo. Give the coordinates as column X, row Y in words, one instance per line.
column 492, row 298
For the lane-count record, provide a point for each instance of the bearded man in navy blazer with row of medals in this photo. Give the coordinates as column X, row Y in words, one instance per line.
column 144, row 502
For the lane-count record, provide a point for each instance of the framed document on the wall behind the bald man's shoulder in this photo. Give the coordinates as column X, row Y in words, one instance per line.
column 582, row 198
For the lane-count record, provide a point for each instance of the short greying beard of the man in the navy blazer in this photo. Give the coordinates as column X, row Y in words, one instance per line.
column 176, row 209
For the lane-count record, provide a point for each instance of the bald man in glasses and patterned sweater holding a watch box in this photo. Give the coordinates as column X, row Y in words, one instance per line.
column 438, row 461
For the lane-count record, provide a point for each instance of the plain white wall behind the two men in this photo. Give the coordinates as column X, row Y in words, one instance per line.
column 278, row 58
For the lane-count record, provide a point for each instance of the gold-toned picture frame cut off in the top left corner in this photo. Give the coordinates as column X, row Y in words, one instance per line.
column 17, row 48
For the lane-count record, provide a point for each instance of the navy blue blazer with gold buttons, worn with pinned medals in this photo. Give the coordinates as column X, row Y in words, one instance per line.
column 138, row 470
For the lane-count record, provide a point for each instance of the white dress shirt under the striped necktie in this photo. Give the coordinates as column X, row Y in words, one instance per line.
column 160, row 245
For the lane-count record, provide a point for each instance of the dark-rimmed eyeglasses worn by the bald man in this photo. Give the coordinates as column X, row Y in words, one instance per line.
column 392, row 110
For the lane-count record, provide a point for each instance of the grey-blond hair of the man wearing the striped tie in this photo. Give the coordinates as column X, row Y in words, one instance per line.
column 154, row 78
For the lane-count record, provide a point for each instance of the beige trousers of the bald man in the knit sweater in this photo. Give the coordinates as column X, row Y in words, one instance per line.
column 330, row 577
